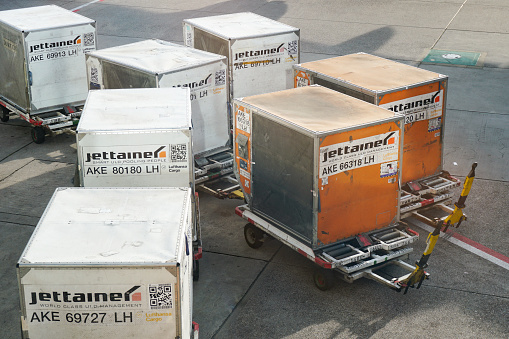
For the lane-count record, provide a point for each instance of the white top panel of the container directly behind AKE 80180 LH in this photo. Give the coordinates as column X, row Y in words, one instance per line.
column 157, row 56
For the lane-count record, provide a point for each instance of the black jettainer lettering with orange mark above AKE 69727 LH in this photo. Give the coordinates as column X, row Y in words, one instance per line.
column 85, row 297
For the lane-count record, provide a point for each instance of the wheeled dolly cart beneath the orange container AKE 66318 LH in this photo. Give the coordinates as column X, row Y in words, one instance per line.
column 353, row 258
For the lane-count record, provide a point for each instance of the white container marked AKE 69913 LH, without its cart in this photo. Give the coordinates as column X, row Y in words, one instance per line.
column 42, row 57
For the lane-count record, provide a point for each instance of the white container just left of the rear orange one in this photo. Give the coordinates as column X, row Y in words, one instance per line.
column 260, row 51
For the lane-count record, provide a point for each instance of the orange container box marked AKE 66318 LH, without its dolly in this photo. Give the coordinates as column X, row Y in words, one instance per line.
column 321, row 165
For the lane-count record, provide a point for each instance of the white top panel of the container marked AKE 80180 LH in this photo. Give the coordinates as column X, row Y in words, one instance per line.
column 136, row 109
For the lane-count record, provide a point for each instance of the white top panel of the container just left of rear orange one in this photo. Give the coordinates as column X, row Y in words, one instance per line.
column 240, row 25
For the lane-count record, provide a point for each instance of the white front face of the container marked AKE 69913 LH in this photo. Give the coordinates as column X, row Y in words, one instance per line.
column 56, row 64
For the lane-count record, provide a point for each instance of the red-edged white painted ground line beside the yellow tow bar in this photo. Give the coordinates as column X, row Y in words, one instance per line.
column 470, row 245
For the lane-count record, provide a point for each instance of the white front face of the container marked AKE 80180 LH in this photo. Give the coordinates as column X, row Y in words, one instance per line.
column 136, row 159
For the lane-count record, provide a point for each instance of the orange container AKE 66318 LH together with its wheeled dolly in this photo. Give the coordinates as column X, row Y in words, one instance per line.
column 320, row 171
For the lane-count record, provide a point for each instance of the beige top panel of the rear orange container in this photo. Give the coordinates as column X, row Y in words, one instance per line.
column 371, row 72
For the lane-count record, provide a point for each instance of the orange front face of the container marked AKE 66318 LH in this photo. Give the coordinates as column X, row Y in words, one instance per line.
column 358, row 181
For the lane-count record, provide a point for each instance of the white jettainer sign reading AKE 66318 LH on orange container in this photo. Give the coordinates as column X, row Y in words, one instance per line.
column 358, row 153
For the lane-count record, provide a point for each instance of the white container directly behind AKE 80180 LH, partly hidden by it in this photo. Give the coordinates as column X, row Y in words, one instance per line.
column 156, row 63
